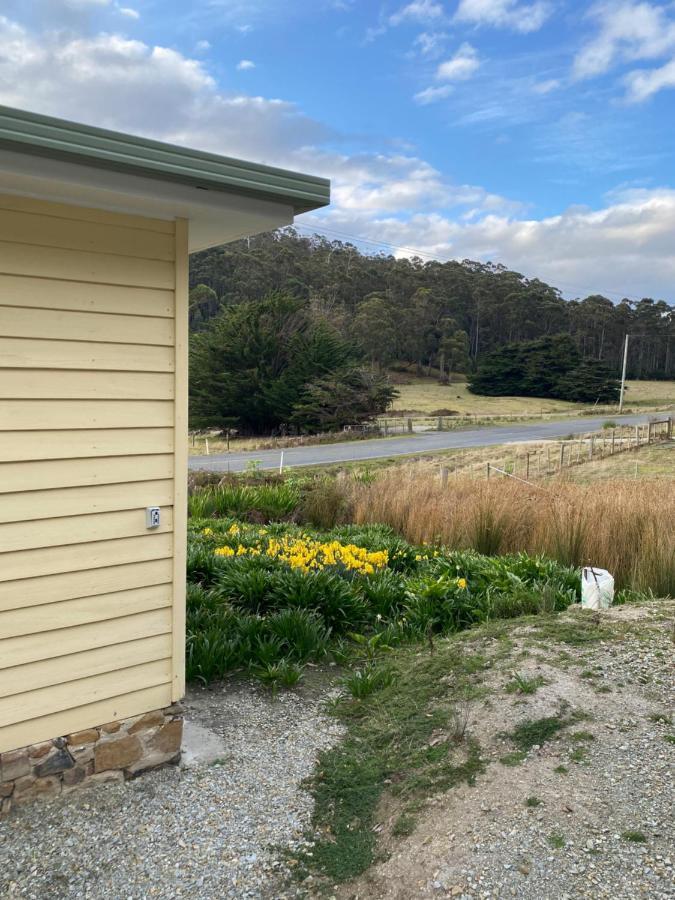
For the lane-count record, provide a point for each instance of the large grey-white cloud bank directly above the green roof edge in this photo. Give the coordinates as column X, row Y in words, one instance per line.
column 114, row 82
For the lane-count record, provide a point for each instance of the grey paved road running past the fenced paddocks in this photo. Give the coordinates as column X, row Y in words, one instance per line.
column 420, row 443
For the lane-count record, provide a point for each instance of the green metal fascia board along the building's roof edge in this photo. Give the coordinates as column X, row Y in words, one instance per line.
column 71, row 142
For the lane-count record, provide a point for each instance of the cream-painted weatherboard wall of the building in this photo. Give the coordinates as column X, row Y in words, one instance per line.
column 93, row 392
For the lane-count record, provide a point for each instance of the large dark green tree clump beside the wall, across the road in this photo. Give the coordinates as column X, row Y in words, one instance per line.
column 271, row 363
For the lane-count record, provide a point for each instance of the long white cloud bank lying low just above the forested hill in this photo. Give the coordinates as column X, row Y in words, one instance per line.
column 624, row 248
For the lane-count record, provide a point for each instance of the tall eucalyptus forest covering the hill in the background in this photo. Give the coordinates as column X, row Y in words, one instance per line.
column 439, row 316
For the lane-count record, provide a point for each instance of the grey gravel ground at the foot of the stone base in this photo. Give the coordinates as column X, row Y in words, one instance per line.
column 208, row 831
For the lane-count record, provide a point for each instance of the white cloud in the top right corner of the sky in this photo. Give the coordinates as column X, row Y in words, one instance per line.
column 627, row 31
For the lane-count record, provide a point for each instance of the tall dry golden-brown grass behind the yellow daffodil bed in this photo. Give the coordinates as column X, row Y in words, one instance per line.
column 627, row 527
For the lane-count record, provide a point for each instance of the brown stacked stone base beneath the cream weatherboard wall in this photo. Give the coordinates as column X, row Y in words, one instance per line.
column 114, row 751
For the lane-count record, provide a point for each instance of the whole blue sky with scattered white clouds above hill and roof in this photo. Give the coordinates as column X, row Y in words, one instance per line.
column 535, row 133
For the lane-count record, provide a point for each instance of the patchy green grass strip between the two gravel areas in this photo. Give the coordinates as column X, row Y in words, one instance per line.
column 399, row 744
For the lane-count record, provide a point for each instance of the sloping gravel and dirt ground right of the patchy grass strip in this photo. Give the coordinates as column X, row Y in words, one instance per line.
column 486, row 842
